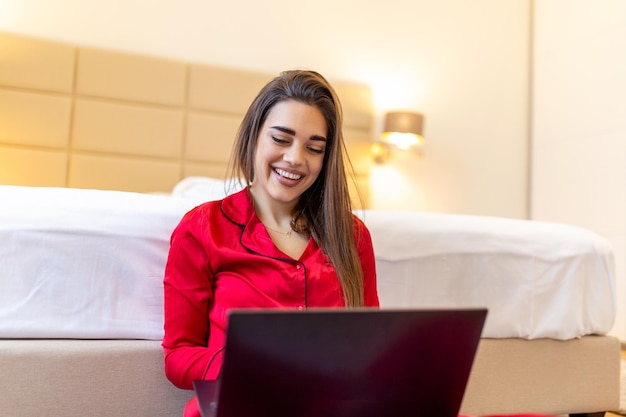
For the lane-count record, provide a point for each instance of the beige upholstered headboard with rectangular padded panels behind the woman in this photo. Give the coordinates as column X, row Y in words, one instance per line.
column 82, row 117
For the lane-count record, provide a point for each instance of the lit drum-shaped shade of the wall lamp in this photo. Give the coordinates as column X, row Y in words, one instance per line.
column 403, row 129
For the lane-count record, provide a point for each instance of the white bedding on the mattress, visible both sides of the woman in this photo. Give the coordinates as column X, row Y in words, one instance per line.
column 89, row 264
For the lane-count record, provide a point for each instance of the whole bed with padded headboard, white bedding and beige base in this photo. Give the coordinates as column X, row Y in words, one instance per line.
column 100, row 157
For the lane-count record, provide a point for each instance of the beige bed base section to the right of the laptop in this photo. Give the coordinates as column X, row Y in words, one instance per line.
column 545, row 376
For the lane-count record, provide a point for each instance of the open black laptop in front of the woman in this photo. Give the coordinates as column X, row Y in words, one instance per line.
column 344, row 363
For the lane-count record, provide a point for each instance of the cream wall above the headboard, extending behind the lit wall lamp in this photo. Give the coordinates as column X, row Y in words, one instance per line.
column 464, row 64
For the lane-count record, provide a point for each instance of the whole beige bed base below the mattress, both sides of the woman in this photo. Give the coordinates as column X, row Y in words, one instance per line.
column 78, row 378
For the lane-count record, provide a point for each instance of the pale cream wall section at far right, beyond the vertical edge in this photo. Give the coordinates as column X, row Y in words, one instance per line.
column 579, row 129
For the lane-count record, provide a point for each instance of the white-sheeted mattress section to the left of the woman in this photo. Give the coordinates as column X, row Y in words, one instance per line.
column 83, row 263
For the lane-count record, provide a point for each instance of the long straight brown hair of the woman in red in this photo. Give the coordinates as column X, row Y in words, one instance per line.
column 324, row 210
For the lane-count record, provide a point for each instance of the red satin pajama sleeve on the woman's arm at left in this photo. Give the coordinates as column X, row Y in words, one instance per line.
column 187, row 296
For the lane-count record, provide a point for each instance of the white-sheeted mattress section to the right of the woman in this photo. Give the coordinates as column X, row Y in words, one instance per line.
column 538, row 280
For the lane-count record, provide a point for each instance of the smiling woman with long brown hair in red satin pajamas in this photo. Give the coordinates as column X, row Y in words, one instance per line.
column 287, row 240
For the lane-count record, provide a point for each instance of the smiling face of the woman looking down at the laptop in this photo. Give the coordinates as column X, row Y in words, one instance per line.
column 290, row 151
